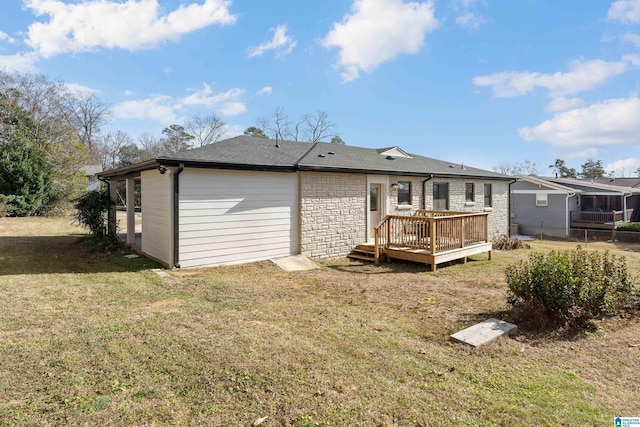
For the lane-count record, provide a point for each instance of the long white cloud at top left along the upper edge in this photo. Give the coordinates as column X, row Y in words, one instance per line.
column 131, row 25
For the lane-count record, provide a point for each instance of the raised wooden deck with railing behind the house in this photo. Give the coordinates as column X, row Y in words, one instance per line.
column 432, row 237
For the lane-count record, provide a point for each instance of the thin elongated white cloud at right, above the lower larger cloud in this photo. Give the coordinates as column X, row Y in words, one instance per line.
column 583, row 75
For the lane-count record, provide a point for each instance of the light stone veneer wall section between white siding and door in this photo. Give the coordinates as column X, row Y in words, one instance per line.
column 332, row 213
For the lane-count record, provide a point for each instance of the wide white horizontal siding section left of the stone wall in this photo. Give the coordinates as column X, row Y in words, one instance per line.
column 232, row 217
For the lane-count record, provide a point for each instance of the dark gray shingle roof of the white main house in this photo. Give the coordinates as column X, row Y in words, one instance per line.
column 247, row 152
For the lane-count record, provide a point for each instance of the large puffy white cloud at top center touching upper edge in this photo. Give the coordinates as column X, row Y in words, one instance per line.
column 377, row 31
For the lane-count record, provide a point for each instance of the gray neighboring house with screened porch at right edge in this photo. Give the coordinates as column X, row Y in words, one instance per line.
column 555, row 206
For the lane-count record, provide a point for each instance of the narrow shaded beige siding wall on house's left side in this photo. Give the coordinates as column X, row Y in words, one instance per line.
column 156, row 211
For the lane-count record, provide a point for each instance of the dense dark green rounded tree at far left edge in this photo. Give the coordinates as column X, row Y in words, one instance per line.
column 26, row 176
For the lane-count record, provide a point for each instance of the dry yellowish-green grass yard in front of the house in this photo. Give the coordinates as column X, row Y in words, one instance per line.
column 93, row 340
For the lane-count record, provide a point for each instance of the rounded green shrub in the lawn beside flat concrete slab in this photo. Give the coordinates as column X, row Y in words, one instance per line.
column 569, row 288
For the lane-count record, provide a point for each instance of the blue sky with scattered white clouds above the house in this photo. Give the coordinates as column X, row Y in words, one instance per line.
column 479, row 82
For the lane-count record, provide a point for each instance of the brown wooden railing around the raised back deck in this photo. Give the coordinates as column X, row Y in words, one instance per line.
column 432, row 231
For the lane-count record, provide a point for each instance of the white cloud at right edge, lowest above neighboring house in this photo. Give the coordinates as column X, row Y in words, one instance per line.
column 612, row 122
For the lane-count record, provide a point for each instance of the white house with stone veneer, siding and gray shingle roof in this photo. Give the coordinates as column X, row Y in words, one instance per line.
column 248, row 199
